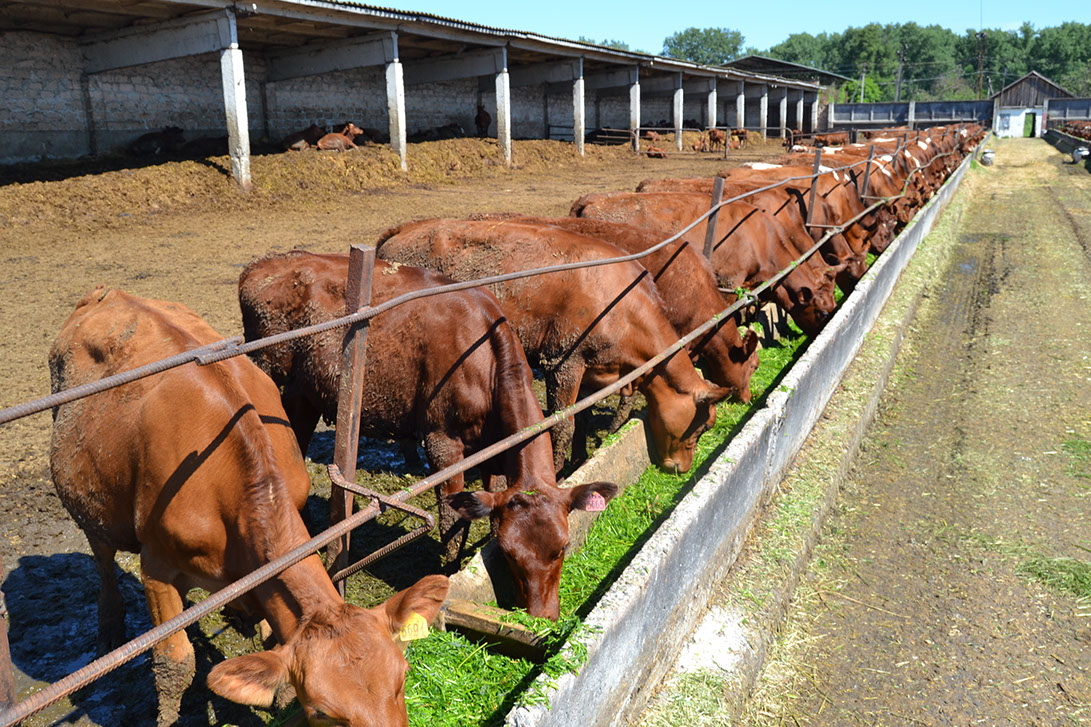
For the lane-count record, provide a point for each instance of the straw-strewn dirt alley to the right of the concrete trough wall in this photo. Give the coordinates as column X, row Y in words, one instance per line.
column 922, row 605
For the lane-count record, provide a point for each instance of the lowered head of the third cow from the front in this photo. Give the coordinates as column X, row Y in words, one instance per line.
column 678, row 419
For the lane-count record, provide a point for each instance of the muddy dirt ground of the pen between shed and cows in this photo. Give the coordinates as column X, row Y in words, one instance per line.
column 181, row 232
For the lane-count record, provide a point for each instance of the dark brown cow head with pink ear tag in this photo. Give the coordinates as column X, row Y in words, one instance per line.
column 533, row 533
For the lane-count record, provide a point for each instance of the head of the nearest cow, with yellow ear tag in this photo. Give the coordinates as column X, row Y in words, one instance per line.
column 343, row 661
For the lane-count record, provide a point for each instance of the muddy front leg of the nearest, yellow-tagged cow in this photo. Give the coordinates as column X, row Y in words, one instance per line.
column 173, row 661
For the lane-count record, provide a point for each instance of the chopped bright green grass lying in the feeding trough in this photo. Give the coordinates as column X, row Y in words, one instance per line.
column 457, row 683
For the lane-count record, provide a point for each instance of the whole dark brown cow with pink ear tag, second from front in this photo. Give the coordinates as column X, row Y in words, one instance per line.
column 449, row 371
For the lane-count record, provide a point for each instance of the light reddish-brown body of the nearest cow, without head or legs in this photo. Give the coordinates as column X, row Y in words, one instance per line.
column 152, row 462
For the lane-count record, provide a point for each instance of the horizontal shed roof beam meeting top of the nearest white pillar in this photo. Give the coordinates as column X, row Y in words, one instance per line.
column 205, row 33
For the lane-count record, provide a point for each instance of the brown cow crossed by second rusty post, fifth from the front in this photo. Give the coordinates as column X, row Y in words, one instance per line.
column 751, row 247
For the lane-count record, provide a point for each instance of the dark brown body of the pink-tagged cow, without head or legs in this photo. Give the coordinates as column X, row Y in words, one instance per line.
column 426, row 363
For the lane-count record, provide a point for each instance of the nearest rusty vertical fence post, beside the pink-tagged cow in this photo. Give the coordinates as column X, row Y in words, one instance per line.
column 362, row 268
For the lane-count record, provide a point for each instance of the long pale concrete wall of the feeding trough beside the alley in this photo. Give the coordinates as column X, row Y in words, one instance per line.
column 641, row 624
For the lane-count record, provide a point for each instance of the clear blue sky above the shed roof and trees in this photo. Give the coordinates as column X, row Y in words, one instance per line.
column 644, row 26
